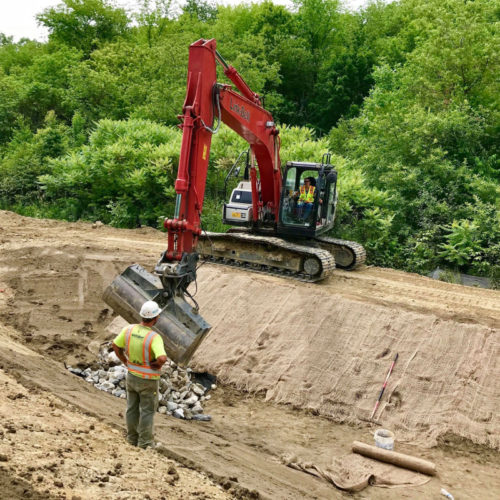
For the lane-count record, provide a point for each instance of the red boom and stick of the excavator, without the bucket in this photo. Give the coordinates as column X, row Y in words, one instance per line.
column 206, row 102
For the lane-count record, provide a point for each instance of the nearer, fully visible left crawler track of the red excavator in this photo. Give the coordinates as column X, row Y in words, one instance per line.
column 267, row 255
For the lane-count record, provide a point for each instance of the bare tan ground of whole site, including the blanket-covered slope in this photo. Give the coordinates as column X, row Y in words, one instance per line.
column 299, row 369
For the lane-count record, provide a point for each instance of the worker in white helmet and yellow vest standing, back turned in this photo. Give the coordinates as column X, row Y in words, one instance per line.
column 142, row 351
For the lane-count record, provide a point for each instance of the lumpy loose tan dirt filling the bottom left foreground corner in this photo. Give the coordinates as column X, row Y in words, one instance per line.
column 71, row 455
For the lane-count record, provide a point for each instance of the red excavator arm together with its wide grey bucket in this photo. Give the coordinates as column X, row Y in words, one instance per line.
column 206, row 103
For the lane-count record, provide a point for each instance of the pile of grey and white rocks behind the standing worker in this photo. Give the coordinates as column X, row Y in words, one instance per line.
column 180, row 396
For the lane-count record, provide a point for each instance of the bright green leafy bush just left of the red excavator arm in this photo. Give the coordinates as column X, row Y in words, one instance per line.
column 123, row 177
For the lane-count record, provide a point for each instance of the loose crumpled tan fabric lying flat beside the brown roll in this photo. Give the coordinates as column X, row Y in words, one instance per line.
column 354, row 473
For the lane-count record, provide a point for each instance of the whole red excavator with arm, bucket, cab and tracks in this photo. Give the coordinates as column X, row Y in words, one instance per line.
column 280, row 215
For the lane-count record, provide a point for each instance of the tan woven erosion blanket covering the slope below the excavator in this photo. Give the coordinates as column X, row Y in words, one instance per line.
column 305, row 345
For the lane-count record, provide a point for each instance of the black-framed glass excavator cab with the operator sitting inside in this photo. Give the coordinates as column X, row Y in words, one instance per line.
column 308, row 198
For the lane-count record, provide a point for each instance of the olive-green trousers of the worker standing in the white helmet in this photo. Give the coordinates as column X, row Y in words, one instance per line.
column 142, row 403
